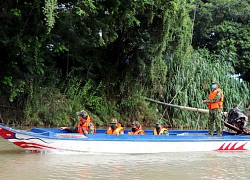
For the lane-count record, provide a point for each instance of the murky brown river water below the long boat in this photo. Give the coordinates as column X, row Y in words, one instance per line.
column 18, row 164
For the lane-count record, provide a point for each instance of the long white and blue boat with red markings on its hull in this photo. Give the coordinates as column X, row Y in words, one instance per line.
column 52, row 139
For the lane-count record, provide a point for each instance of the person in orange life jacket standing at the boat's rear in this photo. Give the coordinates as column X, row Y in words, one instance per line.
column 215, row 105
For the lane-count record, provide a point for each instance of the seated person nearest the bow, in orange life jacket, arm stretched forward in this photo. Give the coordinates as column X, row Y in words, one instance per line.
column 85, row 125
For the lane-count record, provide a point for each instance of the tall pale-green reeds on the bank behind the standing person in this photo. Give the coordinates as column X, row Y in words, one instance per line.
column 190, row 83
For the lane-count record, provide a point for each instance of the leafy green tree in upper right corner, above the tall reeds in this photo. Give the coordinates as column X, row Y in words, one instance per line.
column 224, row 25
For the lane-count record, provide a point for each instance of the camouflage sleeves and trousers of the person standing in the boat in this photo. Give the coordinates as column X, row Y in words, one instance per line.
column 215, row 118
